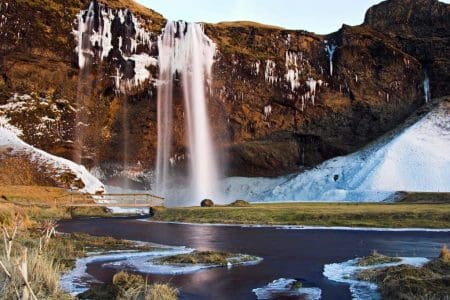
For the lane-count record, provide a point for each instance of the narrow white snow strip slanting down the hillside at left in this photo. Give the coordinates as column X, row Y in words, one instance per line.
column 9, row 139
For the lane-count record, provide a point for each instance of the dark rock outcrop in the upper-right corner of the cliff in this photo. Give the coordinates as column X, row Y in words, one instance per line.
column 422, row 27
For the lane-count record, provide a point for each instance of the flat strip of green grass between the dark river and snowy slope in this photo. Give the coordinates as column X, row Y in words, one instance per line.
column 396, row 215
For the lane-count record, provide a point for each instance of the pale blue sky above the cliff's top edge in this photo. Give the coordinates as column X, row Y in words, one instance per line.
column 320, row 16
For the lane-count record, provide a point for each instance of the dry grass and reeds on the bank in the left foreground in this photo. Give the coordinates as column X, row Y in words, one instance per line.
column 33, row 257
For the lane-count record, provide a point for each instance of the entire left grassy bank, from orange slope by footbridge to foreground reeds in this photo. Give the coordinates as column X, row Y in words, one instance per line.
column 24, row 211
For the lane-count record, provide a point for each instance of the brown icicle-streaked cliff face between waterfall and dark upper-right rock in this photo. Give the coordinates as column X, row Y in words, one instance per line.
column 313, row 115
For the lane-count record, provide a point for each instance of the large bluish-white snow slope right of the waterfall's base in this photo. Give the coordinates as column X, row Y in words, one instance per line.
column 415, row 159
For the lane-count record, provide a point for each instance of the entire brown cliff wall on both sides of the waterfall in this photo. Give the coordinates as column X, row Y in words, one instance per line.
column 277, row 103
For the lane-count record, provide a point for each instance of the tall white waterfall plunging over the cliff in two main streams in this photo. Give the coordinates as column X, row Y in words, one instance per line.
column 185, row 52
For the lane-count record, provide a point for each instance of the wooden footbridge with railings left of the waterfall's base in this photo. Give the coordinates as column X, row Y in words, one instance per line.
column 109, row 200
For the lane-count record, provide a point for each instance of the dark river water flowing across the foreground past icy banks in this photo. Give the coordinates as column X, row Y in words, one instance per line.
column 297, row 254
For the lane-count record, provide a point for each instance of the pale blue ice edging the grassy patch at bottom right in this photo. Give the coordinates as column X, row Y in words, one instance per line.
column 345, row 273
